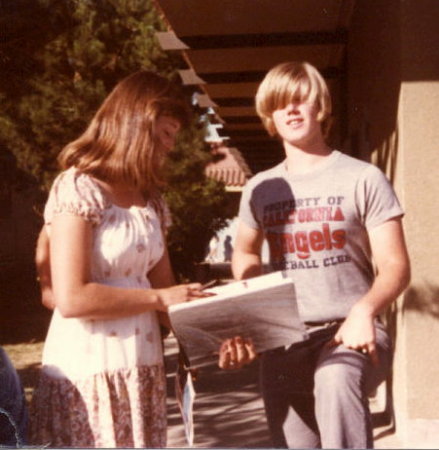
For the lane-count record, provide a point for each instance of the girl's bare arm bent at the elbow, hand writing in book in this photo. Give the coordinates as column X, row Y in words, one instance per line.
column 77, row 296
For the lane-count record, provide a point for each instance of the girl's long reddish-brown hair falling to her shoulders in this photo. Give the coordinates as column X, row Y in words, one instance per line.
column 119, row 144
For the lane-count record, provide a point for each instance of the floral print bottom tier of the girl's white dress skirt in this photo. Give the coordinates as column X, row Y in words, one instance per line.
column 125, row 408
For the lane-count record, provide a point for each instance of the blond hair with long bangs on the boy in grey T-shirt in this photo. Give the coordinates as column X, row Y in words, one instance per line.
column 293, row 81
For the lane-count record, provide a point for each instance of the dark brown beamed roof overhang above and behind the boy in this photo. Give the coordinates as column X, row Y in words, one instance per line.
column 229, row 45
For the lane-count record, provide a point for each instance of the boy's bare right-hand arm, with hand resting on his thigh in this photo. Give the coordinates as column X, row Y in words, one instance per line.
column 393, row 275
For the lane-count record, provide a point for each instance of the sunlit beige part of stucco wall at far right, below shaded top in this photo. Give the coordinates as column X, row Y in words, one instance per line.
column 420, row 137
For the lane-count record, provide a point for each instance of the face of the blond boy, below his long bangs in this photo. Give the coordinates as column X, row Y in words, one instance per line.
column 297, row 123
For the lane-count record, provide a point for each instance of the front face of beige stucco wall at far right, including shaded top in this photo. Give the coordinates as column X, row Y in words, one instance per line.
column 420, row 138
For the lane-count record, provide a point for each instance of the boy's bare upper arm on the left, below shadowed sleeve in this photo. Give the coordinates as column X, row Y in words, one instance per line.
column 246, row 259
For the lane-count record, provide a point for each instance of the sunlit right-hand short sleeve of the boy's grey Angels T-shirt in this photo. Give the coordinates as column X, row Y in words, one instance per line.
column 377, row 198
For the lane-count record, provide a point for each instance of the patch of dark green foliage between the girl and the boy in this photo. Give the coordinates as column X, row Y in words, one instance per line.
column 198, row 204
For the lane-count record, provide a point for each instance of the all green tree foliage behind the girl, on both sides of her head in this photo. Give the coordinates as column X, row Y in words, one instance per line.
column 57, row 70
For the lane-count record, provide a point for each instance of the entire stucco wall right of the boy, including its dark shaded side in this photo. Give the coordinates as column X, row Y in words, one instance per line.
column 393, row 115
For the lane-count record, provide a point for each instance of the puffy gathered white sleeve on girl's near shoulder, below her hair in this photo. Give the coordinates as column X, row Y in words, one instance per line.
column 77, row 194
